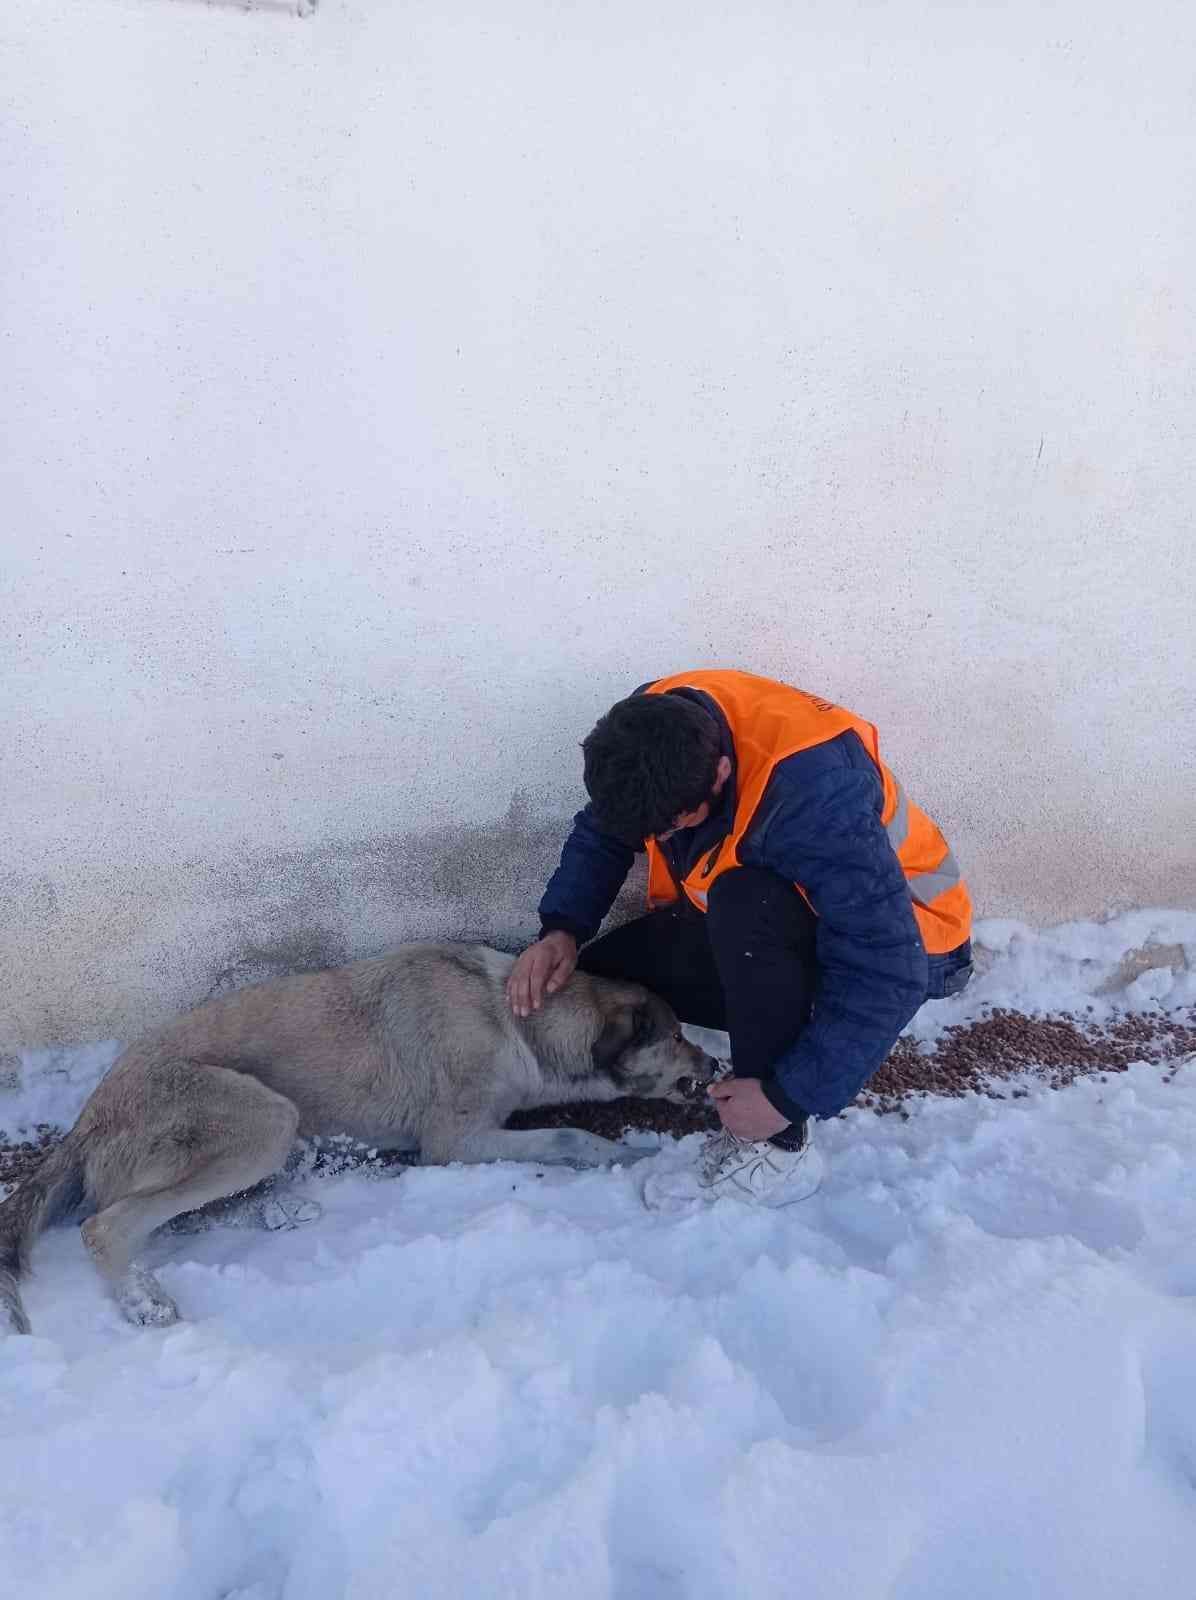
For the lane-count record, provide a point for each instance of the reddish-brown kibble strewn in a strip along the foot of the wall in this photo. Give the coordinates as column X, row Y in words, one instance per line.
column 979, row 1057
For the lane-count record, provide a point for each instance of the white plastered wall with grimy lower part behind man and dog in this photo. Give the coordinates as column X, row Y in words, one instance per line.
column 389, row 391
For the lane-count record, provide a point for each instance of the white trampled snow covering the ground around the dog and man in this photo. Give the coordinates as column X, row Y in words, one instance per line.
column 967, row 1367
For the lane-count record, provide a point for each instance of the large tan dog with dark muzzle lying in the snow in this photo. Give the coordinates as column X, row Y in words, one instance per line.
column 413, row 1050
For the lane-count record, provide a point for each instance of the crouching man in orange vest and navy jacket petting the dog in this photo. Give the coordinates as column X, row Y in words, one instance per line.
column 797, row 900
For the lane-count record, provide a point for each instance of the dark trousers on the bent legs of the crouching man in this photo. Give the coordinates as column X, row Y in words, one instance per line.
column 744, row 966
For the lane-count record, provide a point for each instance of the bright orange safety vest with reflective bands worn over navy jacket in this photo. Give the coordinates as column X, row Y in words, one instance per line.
column 770, row 722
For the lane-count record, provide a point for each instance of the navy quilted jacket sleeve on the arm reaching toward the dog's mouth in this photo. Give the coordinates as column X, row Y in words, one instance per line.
column 821, row 826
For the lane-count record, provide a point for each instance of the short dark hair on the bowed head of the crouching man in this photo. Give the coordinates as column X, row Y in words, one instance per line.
column 650, row 759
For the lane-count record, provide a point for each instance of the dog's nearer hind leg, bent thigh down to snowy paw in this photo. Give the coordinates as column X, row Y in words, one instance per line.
column 220, row 1134
